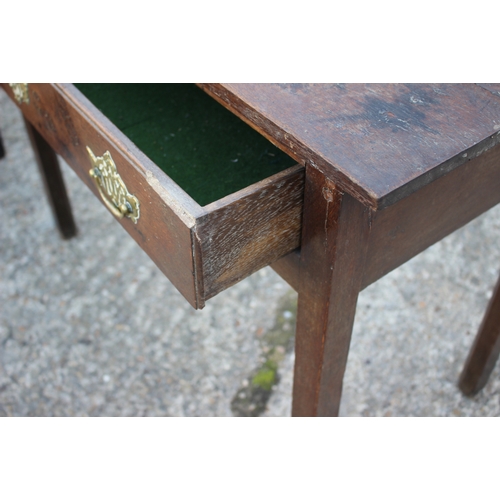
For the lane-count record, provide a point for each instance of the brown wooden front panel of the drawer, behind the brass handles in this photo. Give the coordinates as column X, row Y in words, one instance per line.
column 163, row 229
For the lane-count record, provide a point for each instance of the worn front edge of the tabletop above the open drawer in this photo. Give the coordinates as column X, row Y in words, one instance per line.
column 277, row 134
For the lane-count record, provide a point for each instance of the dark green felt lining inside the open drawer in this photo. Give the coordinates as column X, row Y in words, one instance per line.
column 198, row 143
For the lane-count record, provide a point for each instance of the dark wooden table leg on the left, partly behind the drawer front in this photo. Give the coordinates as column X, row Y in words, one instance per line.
column 53, row 182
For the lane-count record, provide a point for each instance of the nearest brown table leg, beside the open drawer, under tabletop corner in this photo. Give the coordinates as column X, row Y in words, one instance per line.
column 333, row 251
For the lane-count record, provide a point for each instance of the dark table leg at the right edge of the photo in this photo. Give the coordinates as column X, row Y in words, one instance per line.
column 485, row 349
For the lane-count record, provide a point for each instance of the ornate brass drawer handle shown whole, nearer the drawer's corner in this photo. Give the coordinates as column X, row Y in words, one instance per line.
column 111, row 187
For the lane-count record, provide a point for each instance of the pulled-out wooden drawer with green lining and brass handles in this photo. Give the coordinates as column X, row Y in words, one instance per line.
column 143, row 150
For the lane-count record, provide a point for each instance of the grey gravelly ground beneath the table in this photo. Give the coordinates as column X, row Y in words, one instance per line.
column 90, row 326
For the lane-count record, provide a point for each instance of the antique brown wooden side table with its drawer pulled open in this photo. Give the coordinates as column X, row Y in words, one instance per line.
column 389, row 170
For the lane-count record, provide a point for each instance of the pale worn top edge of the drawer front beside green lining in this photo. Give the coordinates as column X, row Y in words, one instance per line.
column 185, row 207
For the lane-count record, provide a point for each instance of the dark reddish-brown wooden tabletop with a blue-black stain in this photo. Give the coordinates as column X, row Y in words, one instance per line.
column 378, row 142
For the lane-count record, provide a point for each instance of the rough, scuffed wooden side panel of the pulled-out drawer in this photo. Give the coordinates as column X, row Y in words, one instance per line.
column 222, row 263
